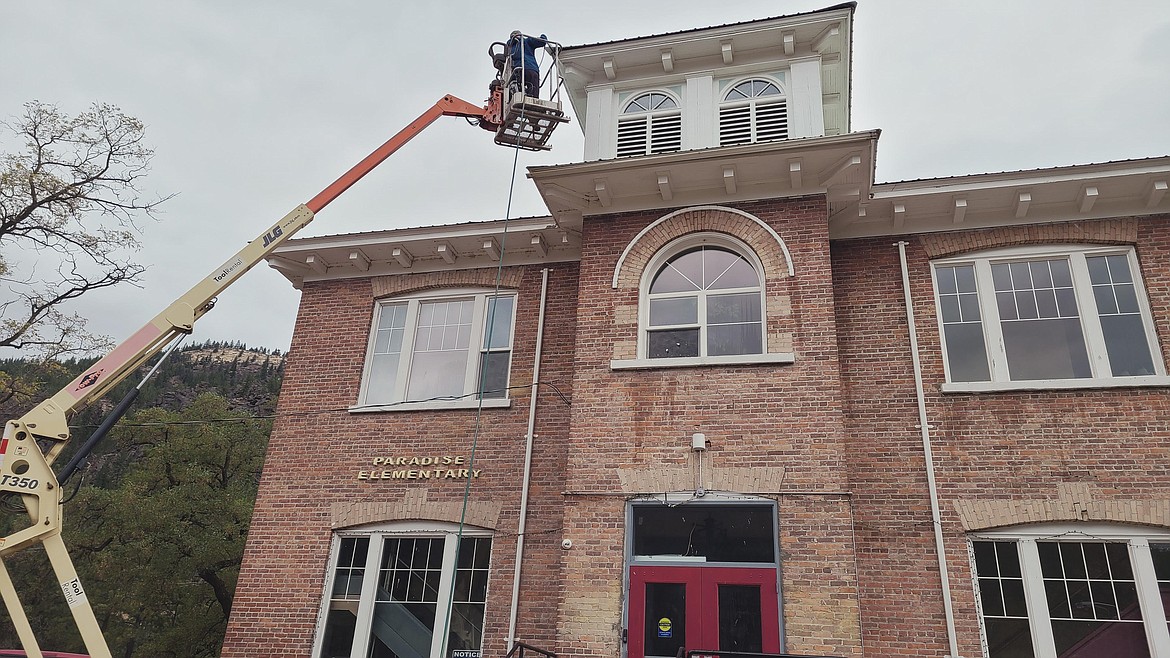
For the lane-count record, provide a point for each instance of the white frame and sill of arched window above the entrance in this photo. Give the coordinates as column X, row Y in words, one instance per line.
column 708, row 239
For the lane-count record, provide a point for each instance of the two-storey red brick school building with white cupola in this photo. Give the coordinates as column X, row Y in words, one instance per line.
column 731, row 393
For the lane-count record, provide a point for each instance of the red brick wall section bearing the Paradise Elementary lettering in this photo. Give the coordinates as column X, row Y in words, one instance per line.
column 318, row 449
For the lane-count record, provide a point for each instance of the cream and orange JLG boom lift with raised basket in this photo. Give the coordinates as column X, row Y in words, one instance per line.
column 32, row 443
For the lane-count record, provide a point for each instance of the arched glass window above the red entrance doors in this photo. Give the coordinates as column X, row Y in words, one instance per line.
column 705, row 300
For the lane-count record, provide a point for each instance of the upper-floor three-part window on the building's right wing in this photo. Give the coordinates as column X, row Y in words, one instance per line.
column 1037, row 318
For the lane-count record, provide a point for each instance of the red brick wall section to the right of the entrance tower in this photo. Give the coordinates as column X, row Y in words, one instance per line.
column 995, row 448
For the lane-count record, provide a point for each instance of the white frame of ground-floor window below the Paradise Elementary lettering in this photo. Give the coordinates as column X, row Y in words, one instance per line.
column 377, row 534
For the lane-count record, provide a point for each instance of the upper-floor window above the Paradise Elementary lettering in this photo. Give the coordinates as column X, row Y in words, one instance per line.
column 443, row 347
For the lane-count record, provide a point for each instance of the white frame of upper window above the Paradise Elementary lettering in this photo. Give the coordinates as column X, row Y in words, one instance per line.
column 470, row 400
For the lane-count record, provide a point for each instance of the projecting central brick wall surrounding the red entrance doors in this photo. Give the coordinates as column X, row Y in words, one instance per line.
column 754, row 416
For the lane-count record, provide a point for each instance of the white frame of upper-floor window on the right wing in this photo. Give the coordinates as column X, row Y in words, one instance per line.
column 1088, row 310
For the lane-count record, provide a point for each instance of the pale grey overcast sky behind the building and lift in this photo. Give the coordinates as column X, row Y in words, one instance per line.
column 253, row 107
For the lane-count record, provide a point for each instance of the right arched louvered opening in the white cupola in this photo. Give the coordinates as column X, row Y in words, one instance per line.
column 754, row 111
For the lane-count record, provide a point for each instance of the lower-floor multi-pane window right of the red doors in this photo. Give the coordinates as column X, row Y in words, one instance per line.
column 1070, row 592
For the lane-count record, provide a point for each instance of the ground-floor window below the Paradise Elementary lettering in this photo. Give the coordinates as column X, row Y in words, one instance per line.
column 390, row 593
